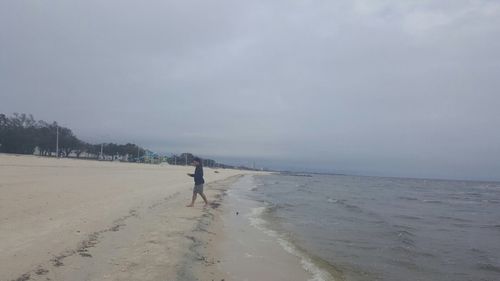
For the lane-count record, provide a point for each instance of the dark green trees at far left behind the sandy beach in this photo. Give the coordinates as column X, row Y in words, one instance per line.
column 22, row 134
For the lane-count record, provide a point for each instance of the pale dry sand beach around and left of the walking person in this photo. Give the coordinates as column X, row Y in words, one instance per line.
column 66, row 219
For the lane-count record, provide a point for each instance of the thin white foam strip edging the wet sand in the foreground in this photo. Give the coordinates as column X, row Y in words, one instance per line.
column 317, row 273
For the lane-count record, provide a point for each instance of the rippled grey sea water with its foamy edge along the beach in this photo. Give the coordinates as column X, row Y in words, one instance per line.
column 371, row 228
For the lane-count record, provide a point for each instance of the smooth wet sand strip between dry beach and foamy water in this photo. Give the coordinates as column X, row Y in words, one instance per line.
column 238, row 249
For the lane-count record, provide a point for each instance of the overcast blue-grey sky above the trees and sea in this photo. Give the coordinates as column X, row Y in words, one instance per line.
column 387, row 88
